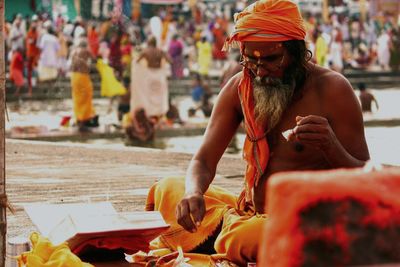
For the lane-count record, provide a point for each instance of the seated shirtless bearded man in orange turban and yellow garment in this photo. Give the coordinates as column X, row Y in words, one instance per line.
column 277, row 90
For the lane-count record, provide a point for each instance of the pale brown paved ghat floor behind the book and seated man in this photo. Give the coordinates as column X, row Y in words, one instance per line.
column 72, row 173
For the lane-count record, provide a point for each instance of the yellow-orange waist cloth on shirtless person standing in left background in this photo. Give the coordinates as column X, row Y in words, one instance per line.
column 82, row 94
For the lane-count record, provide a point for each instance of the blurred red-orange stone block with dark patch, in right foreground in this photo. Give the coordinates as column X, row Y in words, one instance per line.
column 339, row 217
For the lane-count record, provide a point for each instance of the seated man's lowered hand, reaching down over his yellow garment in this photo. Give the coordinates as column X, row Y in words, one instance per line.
column 190, row 211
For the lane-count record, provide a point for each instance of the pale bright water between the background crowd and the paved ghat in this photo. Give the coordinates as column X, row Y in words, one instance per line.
column 383, row 142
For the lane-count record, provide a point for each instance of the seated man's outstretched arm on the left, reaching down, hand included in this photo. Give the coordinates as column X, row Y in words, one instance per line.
column 224, row 121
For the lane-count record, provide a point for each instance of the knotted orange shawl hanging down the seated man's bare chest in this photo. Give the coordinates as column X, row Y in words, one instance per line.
column 255, row 149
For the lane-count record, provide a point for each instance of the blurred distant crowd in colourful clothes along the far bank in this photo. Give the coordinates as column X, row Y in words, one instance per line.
column 39, row 48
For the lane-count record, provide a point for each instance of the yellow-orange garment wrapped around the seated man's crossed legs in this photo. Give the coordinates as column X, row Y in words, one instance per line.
column 239, row 238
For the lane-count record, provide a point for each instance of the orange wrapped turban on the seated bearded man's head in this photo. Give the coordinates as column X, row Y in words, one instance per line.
column 268, row 20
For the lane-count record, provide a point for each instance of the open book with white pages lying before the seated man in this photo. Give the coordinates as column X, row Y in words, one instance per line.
column 78, row 224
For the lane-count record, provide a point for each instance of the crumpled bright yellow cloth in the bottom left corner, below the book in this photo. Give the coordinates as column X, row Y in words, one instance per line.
column 45, row 254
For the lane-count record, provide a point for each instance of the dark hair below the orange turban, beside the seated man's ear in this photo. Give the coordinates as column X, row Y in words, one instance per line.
column 300, row 55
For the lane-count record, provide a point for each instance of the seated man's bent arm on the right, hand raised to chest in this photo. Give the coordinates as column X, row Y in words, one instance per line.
column 340, row 133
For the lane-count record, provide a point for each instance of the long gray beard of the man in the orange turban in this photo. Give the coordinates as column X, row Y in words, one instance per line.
column 271, row 97
